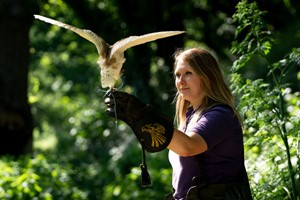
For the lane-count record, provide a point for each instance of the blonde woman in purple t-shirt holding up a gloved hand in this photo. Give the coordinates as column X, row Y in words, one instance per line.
column 206, row 150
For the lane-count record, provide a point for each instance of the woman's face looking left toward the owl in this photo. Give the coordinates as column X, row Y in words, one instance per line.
column 188, row 83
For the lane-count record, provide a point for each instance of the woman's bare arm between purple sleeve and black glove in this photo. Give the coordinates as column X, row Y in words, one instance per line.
column 188, row 144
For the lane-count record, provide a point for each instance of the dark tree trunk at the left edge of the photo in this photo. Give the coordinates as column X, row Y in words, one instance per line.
column 16, row 123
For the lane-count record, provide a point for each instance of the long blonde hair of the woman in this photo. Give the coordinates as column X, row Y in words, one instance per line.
column 217, row 91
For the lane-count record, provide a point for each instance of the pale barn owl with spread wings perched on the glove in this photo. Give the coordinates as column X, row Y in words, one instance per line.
column 111, row 58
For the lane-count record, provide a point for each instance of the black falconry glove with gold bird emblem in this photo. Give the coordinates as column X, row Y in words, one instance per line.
column 153, row 129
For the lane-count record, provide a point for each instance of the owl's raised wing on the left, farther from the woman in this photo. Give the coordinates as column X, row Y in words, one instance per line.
column 100, row 44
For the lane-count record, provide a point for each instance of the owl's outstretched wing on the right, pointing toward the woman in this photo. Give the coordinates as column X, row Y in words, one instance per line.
column 131, row 41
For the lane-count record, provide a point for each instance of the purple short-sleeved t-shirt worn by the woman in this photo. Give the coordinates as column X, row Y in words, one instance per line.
column 223, row 162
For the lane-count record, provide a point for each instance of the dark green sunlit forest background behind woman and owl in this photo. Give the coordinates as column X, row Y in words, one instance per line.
column 58, row 143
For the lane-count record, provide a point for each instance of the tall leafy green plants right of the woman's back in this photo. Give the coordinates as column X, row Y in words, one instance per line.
column 271, row 109
